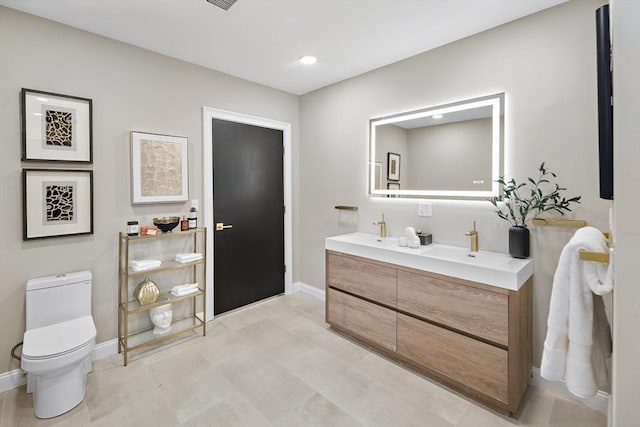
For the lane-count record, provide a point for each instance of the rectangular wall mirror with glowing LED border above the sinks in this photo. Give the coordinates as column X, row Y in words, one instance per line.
column 447, row 151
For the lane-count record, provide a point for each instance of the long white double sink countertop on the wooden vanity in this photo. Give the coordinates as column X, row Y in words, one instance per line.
column 491, row 268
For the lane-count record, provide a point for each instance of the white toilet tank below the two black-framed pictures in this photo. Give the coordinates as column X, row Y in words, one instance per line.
column 55, row 299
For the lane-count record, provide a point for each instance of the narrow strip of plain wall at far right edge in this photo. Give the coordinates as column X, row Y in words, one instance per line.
column 626, row 301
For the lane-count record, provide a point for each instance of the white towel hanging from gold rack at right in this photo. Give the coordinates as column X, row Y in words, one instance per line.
column 578, row 334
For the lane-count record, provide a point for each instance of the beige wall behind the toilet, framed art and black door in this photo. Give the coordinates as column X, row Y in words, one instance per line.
column 132, row 89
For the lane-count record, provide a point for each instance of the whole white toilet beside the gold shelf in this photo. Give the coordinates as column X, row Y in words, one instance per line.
column 58, row 342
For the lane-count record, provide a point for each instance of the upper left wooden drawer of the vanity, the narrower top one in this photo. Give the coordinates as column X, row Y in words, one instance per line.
column 366, row 279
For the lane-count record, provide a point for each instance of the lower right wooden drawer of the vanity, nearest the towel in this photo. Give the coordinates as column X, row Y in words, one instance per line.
column 473, row 363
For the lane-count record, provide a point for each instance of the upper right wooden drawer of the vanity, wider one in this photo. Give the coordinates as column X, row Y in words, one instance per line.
column 476, row 311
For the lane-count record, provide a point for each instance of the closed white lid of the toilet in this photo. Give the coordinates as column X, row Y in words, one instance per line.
column 59, row 338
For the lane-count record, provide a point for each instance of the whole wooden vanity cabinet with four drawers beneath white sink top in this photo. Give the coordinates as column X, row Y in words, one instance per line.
column 472, row 337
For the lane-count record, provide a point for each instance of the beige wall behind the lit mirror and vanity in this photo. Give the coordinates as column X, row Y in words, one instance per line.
column 546, row 65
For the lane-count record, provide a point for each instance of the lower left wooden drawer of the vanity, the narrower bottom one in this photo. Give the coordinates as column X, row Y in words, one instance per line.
column 364, row 319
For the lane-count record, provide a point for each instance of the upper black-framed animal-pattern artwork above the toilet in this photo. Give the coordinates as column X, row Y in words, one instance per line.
column 56, row 127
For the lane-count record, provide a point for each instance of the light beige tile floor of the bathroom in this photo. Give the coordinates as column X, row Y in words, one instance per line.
column 277, row 364
